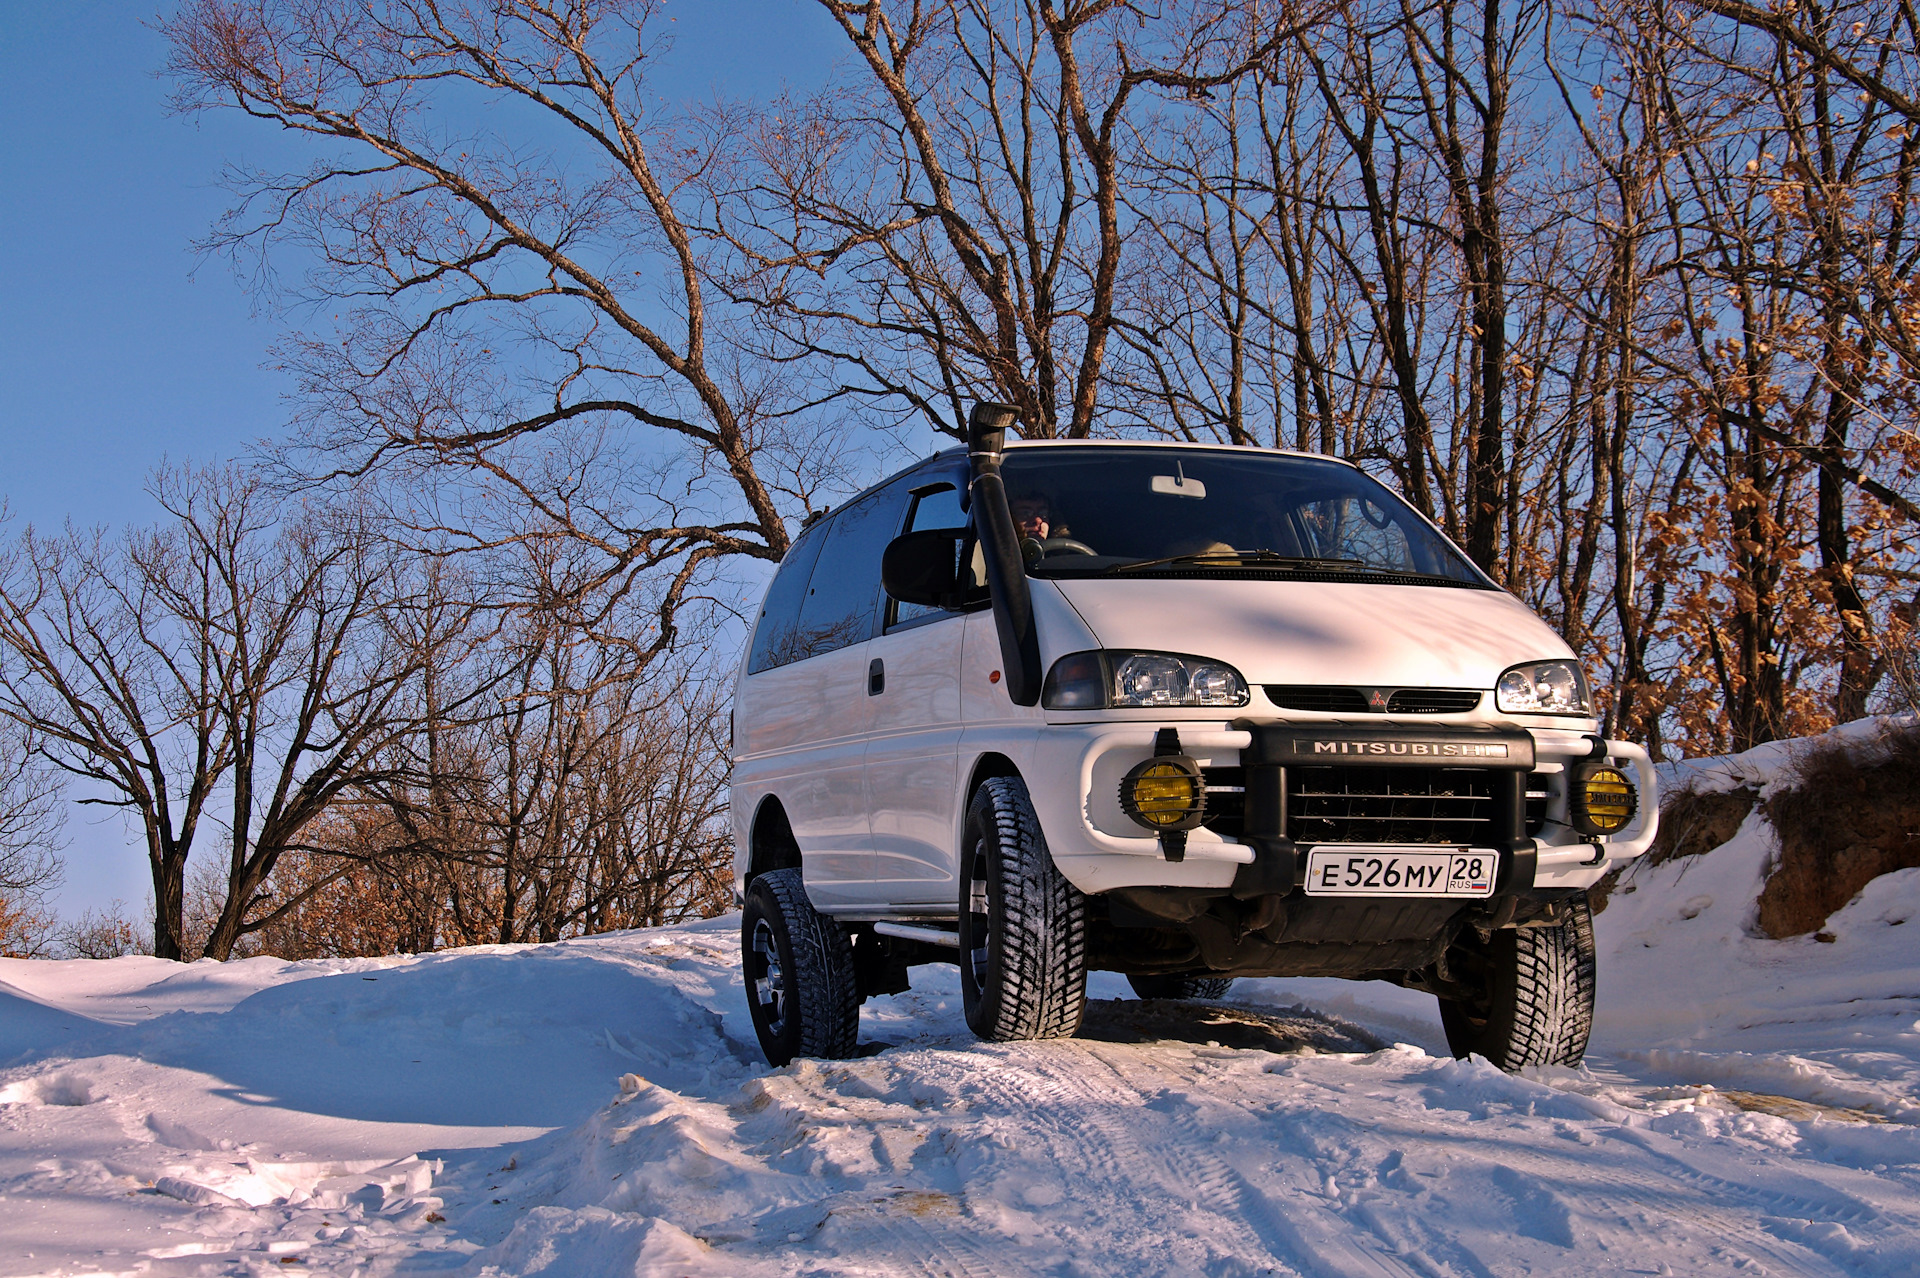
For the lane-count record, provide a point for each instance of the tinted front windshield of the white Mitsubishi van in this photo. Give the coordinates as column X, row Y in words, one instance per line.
column 1170, row 511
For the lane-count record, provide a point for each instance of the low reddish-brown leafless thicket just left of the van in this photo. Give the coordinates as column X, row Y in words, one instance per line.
column 579, row 809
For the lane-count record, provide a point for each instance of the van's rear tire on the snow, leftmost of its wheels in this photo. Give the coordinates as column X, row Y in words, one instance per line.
column 800, row 972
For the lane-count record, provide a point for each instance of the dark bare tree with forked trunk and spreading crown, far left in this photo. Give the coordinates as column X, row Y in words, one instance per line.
column 239, row 655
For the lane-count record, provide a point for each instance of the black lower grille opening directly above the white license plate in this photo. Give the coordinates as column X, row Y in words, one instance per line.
column 1391, row 805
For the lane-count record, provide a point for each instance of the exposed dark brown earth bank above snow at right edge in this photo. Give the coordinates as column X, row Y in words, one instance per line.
column 1852, row 816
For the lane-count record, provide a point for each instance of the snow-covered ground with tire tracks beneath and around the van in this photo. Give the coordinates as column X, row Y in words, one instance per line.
column 598, row 1108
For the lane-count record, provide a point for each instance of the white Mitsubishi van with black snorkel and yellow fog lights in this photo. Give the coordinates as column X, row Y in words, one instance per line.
column 1174, row 711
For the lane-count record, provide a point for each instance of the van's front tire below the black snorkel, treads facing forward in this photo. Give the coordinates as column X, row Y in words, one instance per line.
column 1022, row 924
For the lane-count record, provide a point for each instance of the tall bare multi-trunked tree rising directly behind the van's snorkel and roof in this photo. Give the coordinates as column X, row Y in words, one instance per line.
column 955, row 227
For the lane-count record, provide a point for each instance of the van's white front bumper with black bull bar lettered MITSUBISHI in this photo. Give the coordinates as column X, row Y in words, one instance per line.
column 1522, row 799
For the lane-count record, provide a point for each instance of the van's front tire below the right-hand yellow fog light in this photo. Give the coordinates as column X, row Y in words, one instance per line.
column 1535, row 999
